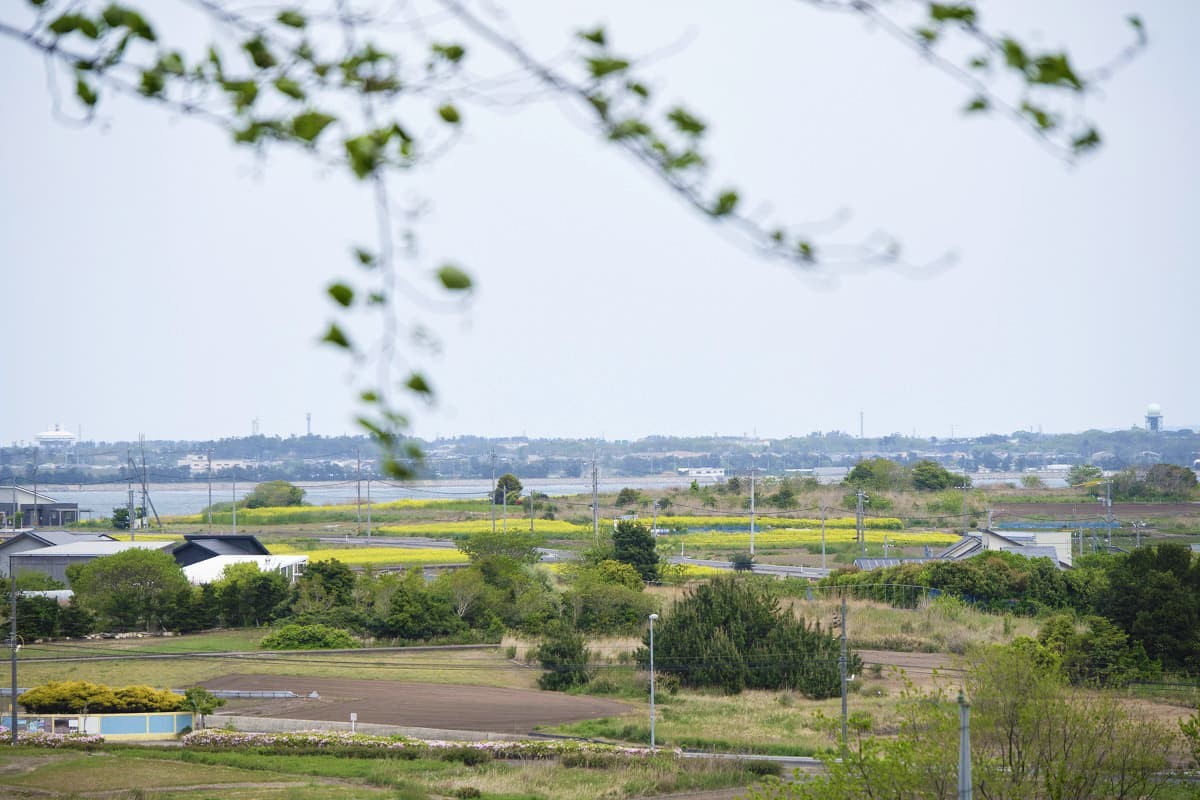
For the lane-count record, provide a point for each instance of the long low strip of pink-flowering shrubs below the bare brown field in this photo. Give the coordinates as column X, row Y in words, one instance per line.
column 367, row 747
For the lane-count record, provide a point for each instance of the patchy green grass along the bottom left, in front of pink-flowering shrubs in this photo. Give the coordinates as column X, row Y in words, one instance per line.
column 238, row 775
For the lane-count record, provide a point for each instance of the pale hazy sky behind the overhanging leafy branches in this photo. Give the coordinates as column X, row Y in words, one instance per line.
column 160, row 281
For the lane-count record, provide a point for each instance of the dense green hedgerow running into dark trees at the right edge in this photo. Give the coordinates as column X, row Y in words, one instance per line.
column 1150, row 597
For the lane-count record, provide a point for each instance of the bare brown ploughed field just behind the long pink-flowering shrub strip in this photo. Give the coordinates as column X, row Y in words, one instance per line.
column 421, row 706
